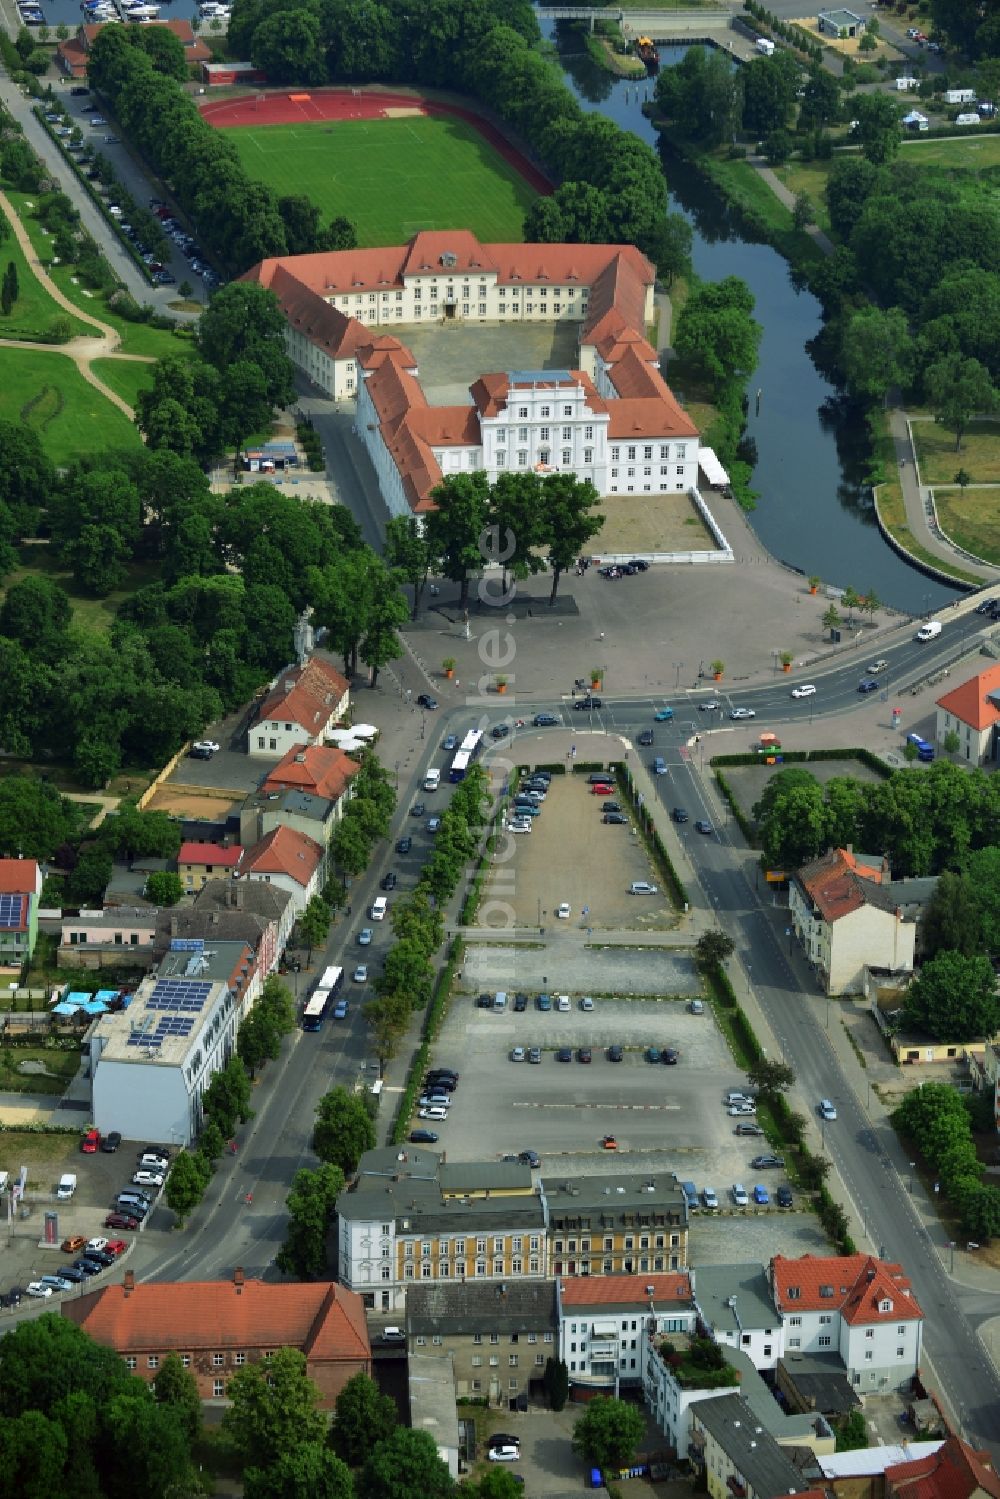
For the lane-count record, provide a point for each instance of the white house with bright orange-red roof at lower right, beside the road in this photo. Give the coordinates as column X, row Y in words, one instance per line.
column 852, row 1305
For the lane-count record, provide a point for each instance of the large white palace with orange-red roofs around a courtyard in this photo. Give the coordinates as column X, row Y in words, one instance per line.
column 612, row 420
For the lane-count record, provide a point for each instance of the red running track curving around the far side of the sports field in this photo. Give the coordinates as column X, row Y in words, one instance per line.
column 347, row 104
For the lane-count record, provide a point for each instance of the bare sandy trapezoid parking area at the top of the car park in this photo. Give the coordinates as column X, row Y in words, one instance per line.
column 572, row 855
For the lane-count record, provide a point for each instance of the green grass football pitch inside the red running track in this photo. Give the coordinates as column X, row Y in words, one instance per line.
column 392, row 178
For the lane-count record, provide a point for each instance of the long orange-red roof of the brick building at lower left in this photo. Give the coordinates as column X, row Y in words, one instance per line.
column 323, row 1320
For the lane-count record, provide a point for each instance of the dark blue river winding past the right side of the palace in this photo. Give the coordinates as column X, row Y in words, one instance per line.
column 815, row 512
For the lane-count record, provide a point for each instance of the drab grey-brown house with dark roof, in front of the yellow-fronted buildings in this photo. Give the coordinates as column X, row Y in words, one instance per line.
column 499, row 1335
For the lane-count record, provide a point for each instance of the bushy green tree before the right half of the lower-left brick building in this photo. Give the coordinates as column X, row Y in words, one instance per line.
column 274, row 1408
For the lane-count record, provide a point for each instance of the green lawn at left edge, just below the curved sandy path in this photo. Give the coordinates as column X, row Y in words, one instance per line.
column 50, row 395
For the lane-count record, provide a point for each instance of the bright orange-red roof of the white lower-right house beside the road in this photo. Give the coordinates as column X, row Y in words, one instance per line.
column 851, row 1284
